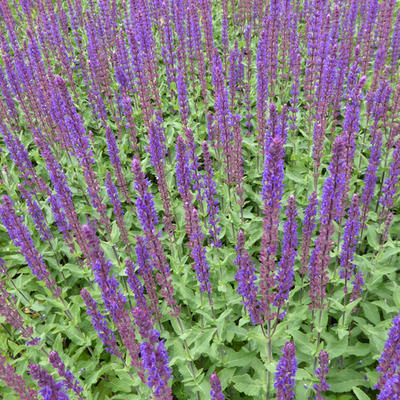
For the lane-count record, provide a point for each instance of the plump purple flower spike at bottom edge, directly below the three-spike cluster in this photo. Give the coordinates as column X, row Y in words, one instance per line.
column 285, row 373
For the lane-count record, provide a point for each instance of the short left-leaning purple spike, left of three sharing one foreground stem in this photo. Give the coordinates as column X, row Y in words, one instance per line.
column 246, row 278
